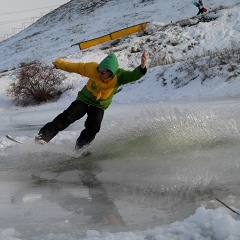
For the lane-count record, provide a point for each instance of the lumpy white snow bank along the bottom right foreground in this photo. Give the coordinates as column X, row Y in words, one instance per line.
column 200, row 226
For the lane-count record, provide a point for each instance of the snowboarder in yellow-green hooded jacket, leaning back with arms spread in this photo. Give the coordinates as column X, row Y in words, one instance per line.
column 94, row 98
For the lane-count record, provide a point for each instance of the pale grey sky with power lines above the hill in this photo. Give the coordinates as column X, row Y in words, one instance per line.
column 17, row 14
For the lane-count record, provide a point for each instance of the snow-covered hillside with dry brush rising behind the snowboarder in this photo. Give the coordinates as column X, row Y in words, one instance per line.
column 181, row 47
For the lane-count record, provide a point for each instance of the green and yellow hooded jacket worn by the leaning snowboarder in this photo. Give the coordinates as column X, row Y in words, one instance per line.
column 96, row 92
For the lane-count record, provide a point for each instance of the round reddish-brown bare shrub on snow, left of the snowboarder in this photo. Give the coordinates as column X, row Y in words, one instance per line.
column 36, row 83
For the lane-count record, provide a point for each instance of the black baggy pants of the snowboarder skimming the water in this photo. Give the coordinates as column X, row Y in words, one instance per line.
column 74, row 112
